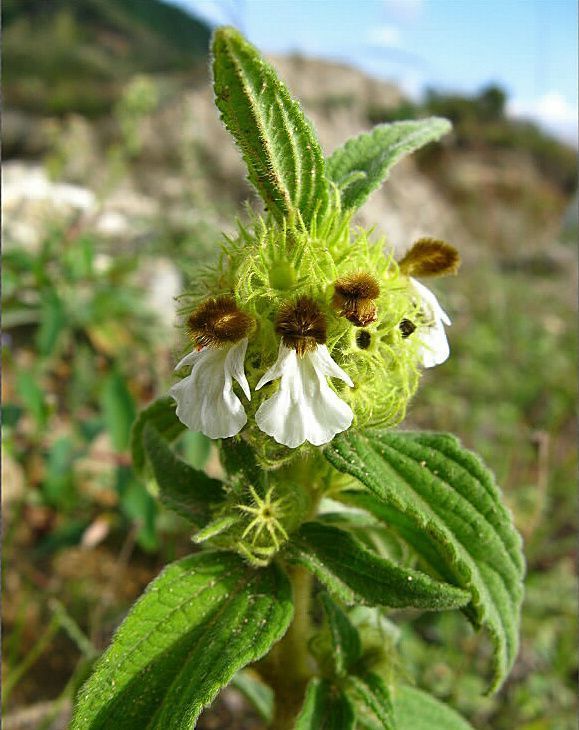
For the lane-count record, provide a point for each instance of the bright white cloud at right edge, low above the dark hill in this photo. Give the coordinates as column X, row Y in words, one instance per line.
column 552, row 110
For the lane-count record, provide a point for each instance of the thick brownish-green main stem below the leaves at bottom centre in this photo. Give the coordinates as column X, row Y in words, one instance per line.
column 288, row 667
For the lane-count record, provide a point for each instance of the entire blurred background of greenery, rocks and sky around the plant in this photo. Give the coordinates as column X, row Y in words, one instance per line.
column 117, row 183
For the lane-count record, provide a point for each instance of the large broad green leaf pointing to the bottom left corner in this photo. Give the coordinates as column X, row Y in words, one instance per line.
column 204, row 618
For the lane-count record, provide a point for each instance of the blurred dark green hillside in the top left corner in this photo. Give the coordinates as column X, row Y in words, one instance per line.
column 68, row 56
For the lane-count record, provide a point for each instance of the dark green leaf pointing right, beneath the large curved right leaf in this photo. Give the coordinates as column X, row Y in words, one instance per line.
column 357, row 575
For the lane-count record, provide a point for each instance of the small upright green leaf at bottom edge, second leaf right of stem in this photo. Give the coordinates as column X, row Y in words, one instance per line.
column 372, row 701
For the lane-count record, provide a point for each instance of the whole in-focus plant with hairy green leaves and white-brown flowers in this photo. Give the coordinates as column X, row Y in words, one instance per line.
column 306, row 342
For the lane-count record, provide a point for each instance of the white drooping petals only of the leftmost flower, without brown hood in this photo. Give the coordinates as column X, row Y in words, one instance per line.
column 205, row 398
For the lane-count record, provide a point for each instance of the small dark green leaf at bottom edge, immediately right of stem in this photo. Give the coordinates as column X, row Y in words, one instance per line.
column 325, row 708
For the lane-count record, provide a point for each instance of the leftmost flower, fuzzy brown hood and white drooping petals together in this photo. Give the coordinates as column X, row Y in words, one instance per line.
column 205, row 399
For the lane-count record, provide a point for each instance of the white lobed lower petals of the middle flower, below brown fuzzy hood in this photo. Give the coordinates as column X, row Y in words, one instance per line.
column 304, row 408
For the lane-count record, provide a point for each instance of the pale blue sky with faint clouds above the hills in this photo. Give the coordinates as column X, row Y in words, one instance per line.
column 529, row 47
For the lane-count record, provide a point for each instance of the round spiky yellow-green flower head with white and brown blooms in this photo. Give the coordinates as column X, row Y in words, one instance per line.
column 345, row 329
